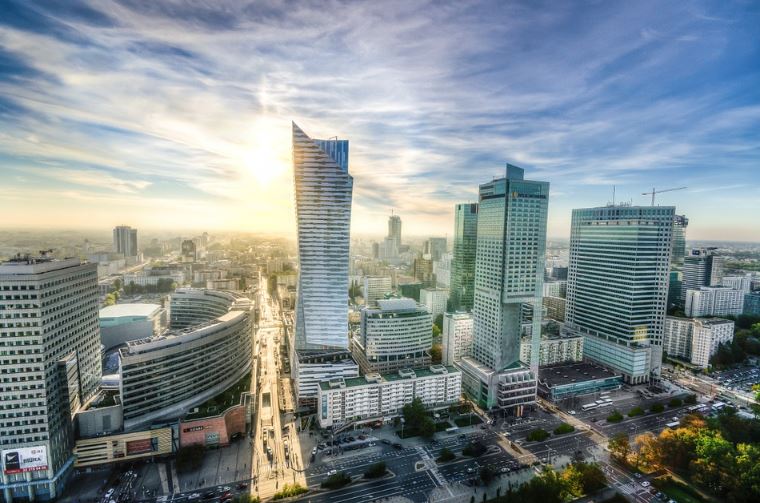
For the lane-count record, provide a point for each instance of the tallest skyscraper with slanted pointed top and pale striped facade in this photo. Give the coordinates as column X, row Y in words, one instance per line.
column 323, row 190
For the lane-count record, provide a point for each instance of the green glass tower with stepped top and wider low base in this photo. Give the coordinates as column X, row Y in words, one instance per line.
column 509, row 271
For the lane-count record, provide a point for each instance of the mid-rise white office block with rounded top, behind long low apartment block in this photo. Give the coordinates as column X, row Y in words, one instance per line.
column 395, row 335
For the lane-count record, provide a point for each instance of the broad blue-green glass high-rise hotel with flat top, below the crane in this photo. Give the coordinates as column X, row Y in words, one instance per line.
column 617, row 285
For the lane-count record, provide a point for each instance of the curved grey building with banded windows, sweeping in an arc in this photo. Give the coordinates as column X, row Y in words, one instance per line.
column 163, row 377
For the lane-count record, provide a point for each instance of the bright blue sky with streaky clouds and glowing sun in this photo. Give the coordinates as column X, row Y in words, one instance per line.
column 176, row 115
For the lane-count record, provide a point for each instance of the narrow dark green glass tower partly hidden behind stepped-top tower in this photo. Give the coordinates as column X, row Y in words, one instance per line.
column 463, row 264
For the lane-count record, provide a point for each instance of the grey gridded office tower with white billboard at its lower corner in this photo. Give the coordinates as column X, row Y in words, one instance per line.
column 50, row 309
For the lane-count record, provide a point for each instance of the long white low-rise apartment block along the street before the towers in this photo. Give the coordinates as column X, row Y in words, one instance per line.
column 382, row 396
